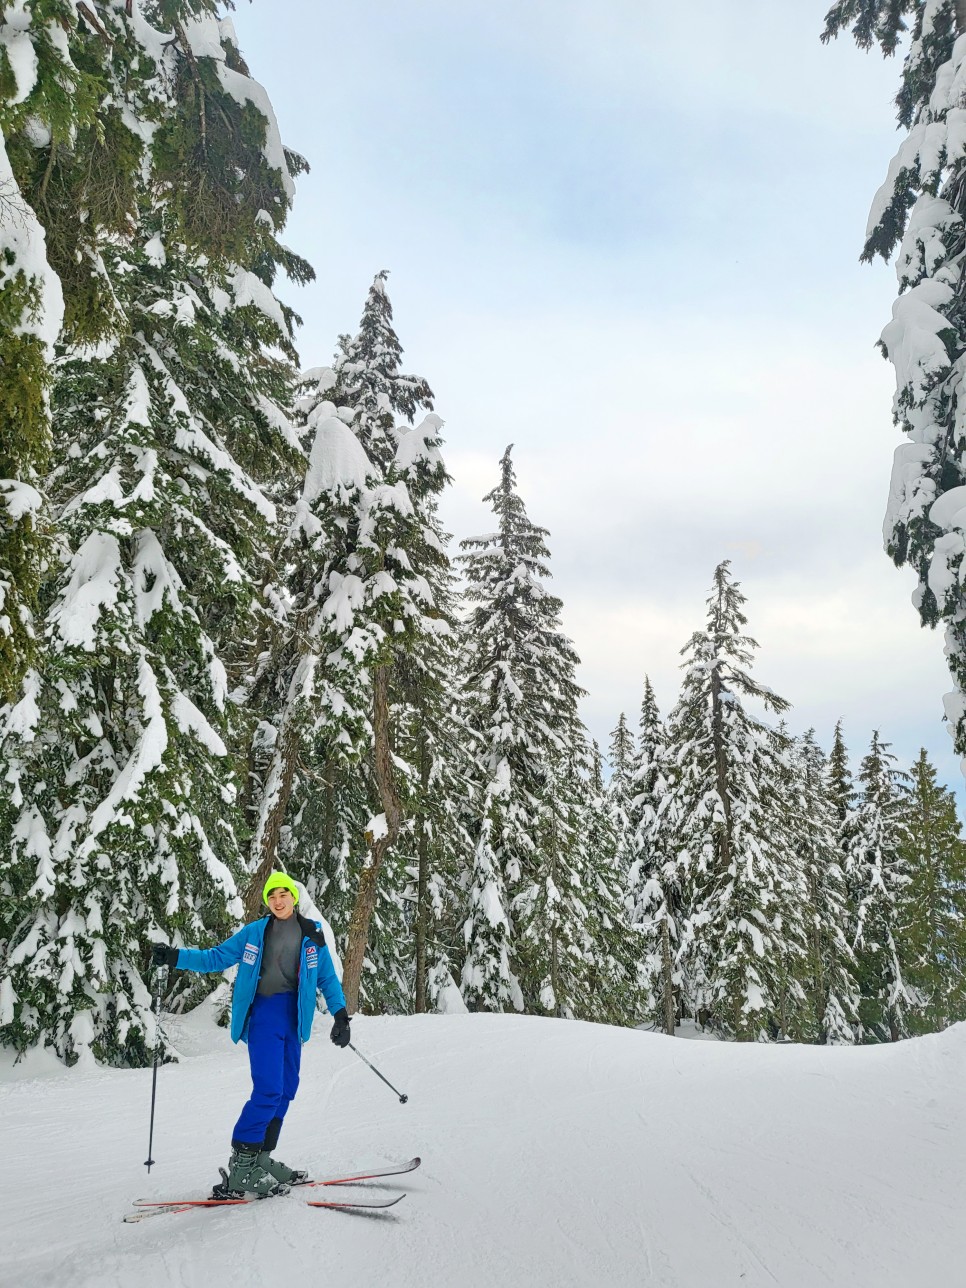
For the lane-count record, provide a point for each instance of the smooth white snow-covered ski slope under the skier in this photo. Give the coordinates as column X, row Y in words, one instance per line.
column 553, row 1153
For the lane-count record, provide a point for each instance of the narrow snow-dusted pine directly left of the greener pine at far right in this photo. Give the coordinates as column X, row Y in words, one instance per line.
column 878, row 878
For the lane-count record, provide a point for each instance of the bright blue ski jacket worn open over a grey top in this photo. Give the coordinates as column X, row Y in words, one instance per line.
column 244, row 949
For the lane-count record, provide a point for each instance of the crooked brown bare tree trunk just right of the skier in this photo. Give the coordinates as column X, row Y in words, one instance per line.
column 392, row 808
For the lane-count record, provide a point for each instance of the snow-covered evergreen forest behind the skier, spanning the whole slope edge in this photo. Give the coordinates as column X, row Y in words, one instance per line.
column 235, row 636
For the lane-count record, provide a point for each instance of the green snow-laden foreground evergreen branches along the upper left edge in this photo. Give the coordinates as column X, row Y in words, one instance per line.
column 60, row 138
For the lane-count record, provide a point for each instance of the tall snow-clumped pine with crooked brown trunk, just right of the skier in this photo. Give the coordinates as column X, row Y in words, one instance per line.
column 377, row 563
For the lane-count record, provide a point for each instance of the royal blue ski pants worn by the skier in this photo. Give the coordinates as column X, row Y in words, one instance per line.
column 275, row 1056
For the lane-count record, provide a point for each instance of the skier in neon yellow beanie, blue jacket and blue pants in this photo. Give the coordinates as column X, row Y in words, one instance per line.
column 281, row 960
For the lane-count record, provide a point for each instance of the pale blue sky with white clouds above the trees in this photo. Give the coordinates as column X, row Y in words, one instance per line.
column 625, row 238
